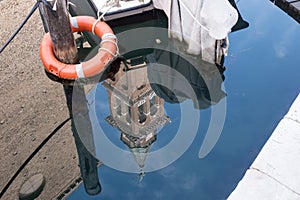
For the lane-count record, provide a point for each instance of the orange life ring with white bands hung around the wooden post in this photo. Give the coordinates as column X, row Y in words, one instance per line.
column 107, row 52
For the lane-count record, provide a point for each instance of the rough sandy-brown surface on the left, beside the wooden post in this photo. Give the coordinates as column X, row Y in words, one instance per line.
column 31, row 107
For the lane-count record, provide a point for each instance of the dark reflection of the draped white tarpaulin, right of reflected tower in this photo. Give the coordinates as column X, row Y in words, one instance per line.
column 203, row 80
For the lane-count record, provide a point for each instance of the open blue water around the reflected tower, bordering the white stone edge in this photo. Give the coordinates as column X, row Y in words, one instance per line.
column 261, row 81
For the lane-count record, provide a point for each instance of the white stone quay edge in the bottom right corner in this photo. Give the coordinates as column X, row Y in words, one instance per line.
column 275, row 173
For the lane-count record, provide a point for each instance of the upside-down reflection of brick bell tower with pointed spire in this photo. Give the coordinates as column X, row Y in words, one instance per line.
column 135, row 109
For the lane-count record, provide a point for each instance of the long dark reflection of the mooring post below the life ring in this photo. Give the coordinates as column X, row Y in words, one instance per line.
column 85, row 145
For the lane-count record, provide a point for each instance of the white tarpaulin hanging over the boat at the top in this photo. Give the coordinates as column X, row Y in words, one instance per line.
column 199, row 23
